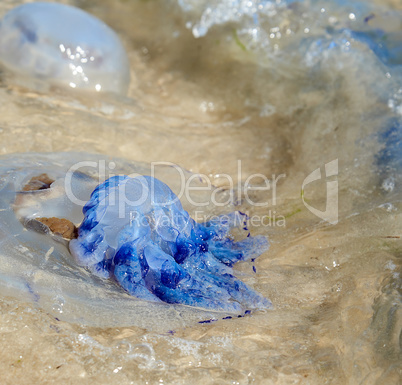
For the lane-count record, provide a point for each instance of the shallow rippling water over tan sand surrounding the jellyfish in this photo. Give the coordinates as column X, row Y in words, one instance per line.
column 206, row 104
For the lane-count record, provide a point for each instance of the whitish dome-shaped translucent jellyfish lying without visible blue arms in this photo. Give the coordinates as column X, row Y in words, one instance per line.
column 64, row 45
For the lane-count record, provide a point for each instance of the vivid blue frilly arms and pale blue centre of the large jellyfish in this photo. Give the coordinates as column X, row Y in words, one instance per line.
column 136, row 231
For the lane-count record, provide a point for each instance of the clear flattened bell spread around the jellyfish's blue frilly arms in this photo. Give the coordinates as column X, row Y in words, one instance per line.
column 36, row 266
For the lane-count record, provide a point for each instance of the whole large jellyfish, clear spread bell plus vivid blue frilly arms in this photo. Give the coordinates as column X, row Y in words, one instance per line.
column 36, row 264
